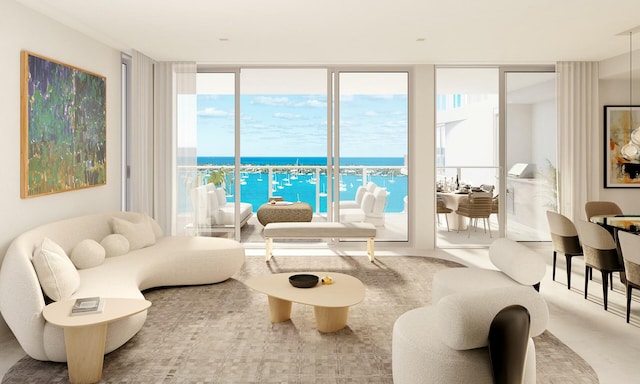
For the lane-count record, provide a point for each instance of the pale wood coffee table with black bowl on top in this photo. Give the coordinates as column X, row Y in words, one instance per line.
column 330, row 302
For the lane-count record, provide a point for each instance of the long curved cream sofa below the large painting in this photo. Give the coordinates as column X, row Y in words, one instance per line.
column 167, row 261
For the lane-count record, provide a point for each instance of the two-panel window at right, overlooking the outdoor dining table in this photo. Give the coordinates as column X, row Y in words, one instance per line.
column 495, row 131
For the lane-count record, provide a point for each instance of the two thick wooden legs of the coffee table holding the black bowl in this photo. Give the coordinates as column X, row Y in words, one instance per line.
column 328, row 319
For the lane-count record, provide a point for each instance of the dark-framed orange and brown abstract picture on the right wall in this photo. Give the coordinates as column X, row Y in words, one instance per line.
column 621, row 165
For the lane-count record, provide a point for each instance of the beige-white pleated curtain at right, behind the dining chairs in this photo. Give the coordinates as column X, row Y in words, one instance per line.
column 579, row 129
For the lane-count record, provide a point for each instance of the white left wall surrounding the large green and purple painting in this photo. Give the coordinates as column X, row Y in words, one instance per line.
column 23, row 29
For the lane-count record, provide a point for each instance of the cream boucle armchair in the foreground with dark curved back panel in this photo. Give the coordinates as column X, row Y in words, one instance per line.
column 448, row 342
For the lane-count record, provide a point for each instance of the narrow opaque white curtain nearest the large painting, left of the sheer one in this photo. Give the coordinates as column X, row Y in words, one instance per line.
column 141, row 135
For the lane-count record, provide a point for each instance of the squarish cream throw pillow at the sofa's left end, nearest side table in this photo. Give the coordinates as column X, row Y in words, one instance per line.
column 58, row 277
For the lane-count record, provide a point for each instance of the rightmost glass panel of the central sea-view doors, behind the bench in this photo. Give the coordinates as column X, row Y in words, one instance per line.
column 371, row 145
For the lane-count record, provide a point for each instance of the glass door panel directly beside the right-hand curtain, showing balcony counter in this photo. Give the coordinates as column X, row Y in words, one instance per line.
column 530, row 153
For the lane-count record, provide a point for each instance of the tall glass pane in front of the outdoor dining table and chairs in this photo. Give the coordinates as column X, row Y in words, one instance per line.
column 467, row 151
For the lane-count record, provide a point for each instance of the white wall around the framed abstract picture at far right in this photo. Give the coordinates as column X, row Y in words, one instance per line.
column 616, row 92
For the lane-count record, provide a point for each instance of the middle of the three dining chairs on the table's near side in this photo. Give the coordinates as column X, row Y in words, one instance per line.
column 600, row 252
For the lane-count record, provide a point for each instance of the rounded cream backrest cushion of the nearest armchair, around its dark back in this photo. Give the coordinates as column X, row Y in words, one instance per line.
column 463, row 319
